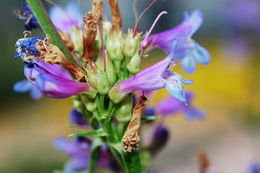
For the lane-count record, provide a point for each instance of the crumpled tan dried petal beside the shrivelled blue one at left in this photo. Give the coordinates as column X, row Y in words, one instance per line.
column 51, row 54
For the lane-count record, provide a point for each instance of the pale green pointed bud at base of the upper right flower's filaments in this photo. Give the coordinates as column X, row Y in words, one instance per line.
column 132, row 44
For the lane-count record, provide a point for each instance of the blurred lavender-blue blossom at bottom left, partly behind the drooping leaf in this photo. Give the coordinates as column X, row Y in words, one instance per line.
column 79, row 151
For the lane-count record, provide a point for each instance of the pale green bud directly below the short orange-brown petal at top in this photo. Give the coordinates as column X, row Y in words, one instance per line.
column 114, row 45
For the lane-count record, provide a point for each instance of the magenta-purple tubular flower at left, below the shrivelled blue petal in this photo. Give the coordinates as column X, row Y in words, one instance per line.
column 52, row 81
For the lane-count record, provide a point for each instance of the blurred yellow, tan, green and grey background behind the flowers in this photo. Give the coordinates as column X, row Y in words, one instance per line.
column 227, row 90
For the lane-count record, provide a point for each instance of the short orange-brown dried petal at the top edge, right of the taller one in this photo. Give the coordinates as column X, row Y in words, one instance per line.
column 116, row 15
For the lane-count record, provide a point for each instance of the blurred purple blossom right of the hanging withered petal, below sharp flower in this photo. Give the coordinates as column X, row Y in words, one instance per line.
column 170, row 106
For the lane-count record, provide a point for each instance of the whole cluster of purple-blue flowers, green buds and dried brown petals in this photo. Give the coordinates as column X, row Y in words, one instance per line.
column 107, row 83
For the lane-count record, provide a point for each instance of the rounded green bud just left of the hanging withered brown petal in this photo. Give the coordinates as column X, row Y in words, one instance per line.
column 124, row 110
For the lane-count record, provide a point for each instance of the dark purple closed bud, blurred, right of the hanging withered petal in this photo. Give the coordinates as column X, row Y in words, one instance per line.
column 159, row 139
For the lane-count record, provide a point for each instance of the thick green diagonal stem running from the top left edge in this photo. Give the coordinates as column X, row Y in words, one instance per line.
column 47, row 26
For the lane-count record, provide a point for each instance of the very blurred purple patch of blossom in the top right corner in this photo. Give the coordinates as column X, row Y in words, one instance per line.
column 250, row 10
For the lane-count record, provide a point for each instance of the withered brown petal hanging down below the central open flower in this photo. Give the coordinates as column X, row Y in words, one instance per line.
column 131, row 137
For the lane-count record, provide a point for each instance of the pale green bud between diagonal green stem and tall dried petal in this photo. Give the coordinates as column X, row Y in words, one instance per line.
column 77, row 39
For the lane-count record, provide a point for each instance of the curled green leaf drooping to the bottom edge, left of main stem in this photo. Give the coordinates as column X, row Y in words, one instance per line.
column 94, row 154
